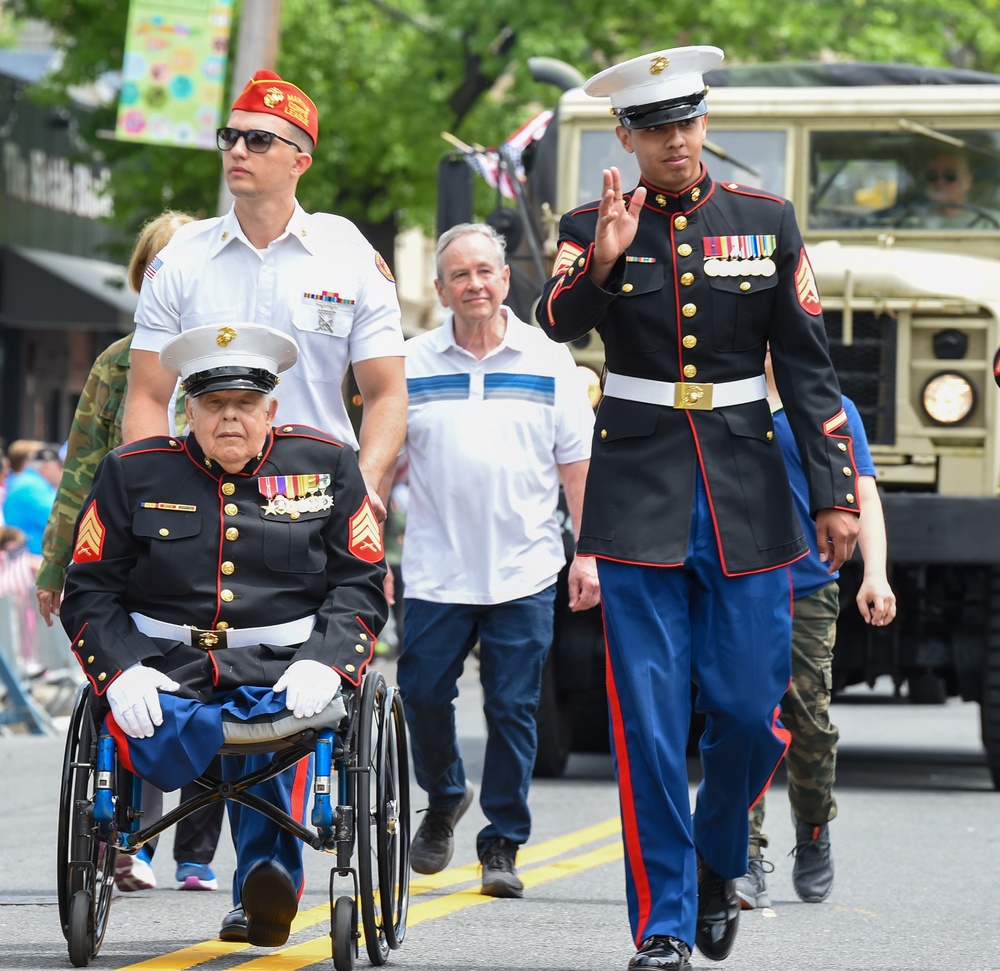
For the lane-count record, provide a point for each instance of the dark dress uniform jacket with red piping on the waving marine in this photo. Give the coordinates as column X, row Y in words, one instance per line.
column 660, row 313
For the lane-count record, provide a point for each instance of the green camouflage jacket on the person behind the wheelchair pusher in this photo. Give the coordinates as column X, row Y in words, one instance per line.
column 97, row 428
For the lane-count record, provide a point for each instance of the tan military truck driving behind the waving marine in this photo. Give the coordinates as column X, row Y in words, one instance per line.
column 911, row 297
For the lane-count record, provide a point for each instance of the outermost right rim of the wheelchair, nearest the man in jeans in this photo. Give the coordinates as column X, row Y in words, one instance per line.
column 392, row 818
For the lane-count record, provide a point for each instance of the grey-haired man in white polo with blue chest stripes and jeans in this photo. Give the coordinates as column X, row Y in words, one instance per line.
column 497, row 414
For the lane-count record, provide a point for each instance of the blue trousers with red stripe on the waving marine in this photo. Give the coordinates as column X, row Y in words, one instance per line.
column 666, row 628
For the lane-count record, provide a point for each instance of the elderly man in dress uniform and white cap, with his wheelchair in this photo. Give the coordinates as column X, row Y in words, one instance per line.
column 224, row 595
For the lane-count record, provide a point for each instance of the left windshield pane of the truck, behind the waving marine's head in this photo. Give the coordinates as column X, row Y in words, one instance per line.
column 752, row 157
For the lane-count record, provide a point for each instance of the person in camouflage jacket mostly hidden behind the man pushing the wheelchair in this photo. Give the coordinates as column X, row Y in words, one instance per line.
column 96, row 429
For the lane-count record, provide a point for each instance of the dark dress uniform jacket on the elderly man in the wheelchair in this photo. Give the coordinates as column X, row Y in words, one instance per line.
column 168, row 533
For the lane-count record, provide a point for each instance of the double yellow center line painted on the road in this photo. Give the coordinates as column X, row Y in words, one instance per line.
column 303, row 955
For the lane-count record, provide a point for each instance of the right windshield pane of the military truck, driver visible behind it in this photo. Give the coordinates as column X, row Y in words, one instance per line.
column 928, row 179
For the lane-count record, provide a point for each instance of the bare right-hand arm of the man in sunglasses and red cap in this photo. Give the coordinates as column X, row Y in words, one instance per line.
column 382, row 383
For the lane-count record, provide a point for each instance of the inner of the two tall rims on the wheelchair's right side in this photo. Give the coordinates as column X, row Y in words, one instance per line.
column 370, row 725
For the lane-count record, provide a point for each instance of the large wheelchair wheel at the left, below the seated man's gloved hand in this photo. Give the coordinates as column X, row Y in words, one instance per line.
column 85, row 866
